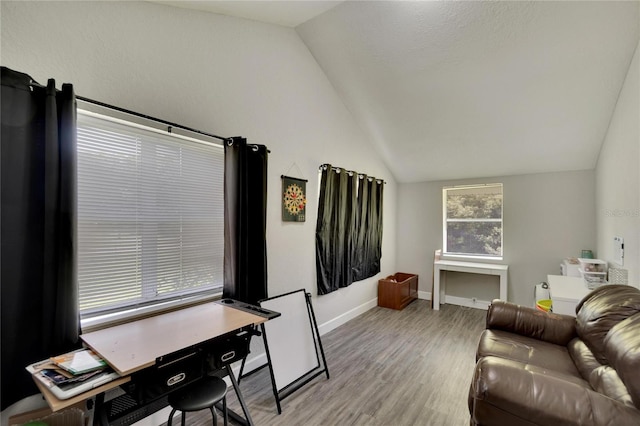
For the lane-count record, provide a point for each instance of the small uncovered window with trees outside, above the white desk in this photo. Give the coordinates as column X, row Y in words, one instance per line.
column 473, row 220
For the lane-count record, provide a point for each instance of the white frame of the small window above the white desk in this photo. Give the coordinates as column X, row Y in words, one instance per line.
column 445, row 221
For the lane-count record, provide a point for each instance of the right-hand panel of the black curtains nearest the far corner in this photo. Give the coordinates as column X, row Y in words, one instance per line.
column 367, row 250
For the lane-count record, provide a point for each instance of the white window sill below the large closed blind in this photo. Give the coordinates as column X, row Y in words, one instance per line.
column 115, row 318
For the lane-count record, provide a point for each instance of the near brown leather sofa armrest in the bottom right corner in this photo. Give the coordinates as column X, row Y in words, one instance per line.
column 505, row 392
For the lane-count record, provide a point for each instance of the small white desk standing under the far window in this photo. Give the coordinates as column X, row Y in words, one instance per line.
column 469, row 267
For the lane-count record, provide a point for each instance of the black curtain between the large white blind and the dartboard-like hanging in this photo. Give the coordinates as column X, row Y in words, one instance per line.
column 245, row 221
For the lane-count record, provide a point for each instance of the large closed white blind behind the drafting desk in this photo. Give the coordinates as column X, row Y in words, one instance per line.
column 150, row 215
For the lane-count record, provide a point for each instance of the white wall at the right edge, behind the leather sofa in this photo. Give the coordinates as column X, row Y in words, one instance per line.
column 618, row 177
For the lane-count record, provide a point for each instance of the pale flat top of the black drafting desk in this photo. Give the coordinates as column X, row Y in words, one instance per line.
column 136, row 345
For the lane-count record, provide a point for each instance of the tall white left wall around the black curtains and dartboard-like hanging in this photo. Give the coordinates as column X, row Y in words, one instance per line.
column 222, row 75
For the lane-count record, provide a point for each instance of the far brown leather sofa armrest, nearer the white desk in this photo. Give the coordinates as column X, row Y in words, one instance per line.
column 530, row 322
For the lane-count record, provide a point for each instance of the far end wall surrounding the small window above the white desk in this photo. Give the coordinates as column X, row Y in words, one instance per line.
column 547, row 217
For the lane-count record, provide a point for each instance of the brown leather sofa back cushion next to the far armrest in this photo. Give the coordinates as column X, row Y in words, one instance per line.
column 602, row 309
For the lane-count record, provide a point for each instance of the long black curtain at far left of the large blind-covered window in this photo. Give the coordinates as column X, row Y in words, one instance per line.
column 40, row 316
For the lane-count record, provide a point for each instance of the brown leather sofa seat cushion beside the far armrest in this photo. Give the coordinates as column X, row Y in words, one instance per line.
column 527, row 350
